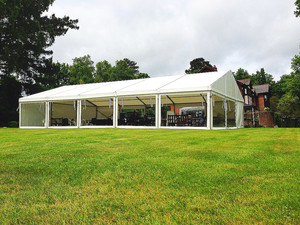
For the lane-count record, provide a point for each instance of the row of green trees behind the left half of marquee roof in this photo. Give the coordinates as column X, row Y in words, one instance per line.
column 83, row 70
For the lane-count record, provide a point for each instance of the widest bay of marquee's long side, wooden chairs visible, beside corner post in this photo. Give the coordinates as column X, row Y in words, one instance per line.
column 188, row 110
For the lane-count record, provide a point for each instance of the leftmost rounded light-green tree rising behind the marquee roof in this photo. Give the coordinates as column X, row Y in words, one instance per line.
column 82, row 70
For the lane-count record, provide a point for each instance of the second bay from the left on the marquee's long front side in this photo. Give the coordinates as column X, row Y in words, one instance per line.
column 63, row 113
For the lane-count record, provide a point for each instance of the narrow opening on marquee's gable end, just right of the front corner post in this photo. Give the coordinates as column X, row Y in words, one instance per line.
column 218, row 103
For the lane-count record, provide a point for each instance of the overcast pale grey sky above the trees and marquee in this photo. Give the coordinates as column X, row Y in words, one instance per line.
column 163, row 36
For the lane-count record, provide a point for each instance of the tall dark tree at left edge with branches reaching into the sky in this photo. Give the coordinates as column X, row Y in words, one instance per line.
column 26, row 35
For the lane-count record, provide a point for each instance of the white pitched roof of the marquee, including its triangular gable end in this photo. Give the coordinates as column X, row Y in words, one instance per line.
column 220, row 82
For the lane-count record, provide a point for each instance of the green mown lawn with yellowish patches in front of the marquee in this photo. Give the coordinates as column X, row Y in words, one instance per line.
column 137, row 176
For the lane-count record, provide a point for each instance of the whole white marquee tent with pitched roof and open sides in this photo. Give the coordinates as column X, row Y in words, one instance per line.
column 198, row 101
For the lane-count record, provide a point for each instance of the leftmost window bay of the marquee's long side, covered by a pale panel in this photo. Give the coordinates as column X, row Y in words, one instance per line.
column 33, row 114
